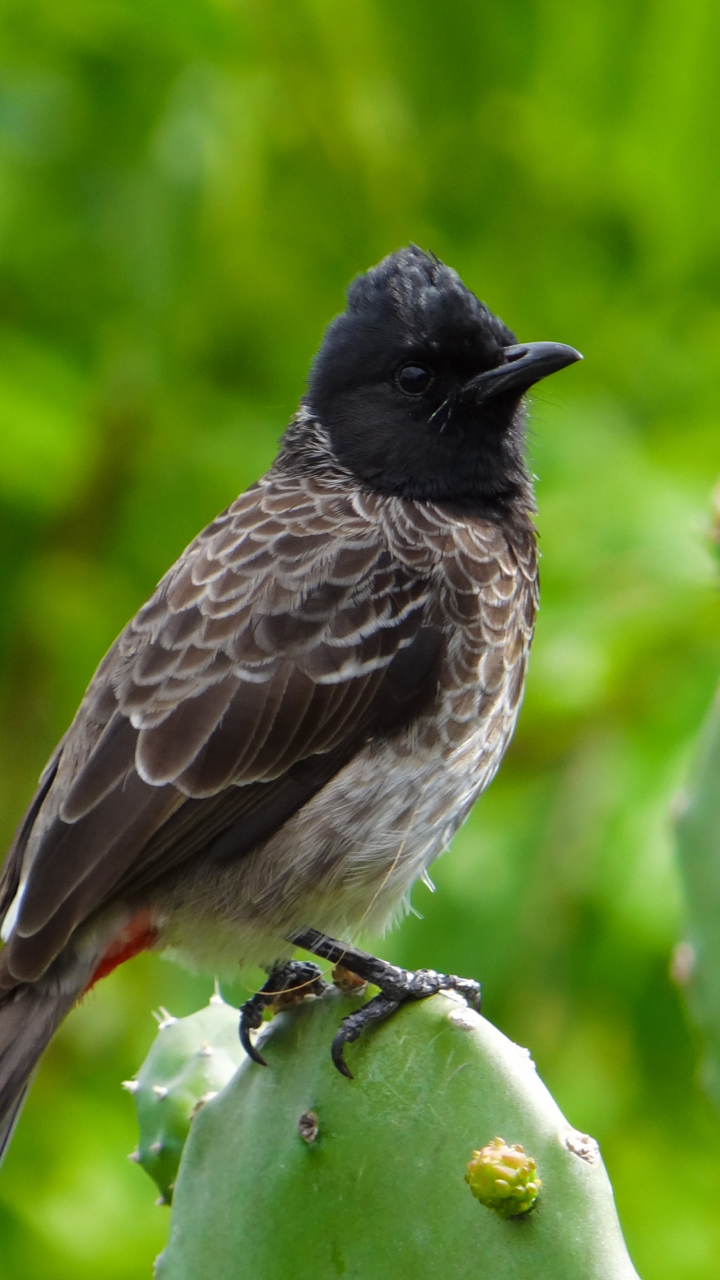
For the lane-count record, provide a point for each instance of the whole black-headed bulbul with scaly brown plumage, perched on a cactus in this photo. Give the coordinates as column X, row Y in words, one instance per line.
column 302, row 716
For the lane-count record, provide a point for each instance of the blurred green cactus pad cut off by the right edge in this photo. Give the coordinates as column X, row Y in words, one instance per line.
column 698, row 962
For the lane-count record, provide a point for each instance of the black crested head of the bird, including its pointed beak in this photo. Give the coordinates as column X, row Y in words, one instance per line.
column 420, row 387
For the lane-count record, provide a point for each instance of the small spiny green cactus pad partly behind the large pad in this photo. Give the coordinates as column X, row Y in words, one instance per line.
column 190, row 1063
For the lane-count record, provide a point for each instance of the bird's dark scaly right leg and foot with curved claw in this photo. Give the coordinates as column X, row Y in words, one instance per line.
column 397, row 986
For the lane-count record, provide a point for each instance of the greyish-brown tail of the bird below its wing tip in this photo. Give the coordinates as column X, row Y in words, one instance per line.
column 29, row 1017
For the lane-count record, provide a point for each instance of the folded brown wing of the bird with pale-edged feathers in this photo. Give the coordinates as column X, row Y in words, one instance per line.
column 284, row 637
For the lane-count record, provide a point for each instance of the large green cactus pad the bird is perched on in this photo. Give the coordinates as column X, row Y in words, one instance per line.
column 294, row 1171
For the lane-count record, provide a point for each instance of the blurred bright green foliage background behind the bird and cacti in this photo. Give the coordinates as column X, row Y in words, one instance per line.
column 186, row 189
